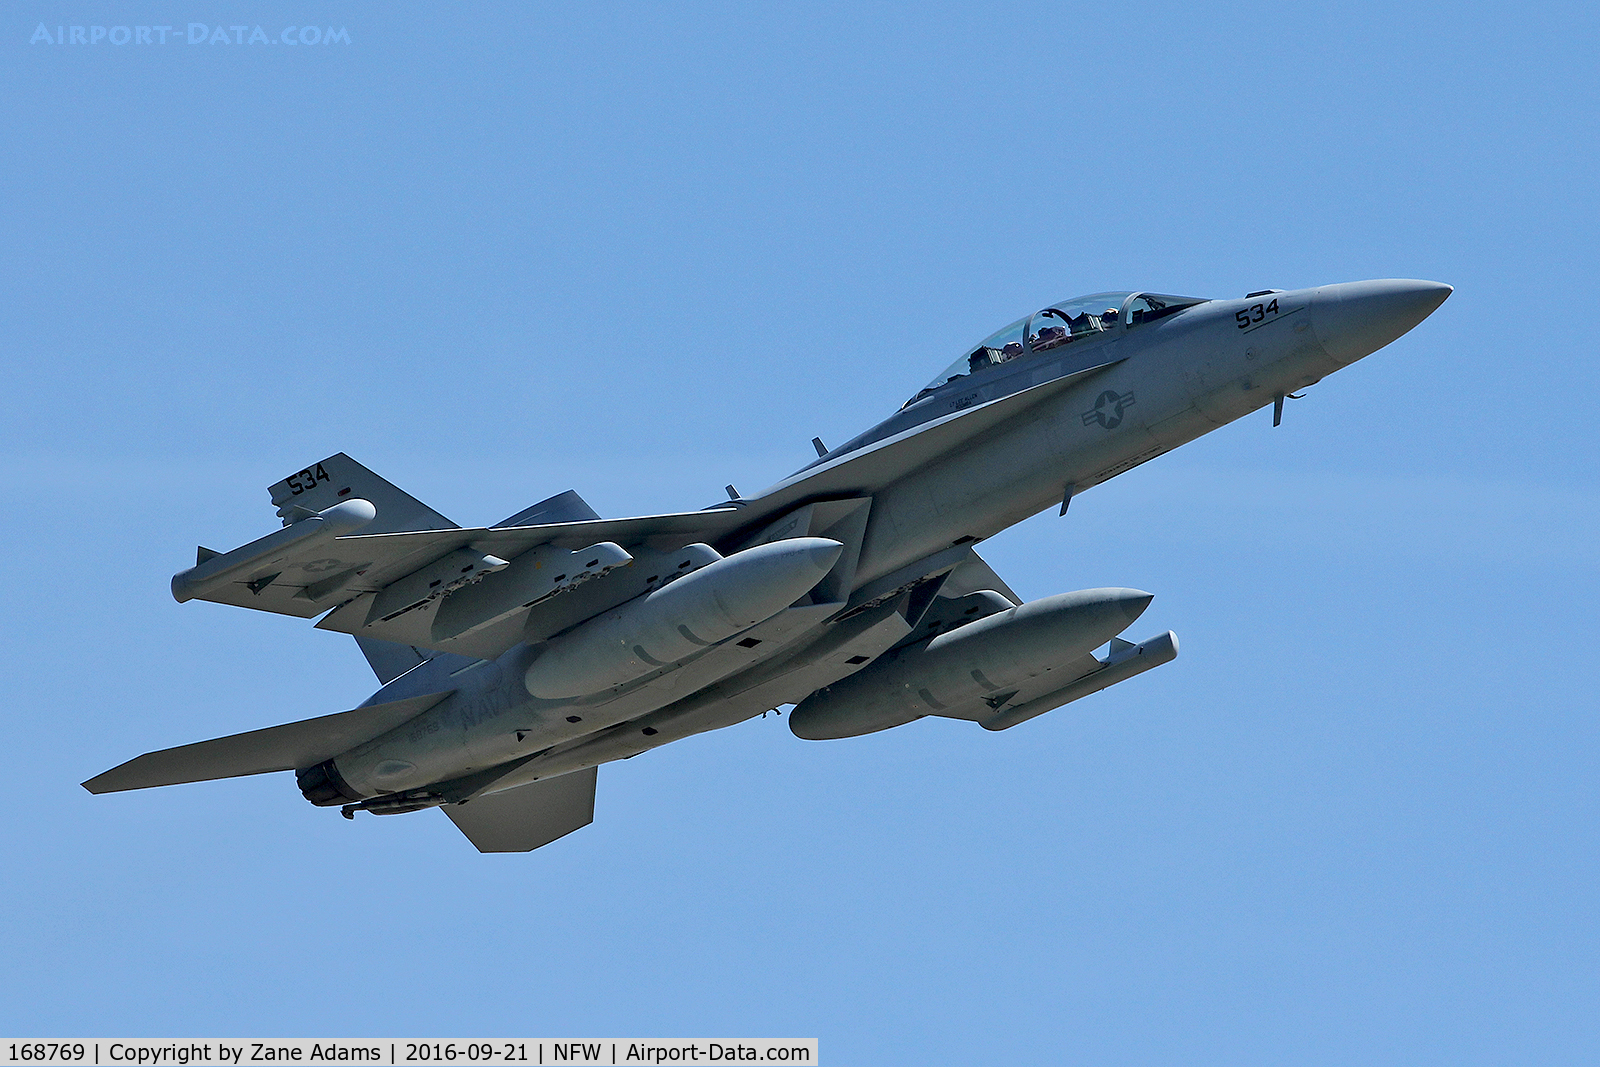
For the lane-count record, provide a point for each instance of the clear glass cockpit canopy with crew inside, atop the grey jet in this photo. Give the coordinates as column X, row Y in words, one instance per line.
column 1062, row 324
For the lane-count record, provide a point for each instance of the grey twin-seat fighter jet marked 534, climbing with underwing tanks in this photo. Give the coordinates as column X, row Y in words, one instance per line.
column 518, row 658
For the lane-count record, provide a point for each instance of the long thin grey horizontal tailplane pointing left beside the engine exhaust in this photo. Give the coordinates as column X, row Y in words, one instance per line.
column 286, row 748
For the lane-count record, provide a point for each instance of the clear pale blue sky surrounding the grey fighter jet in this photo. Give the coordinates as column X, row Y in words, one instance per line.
column 497, row 252
